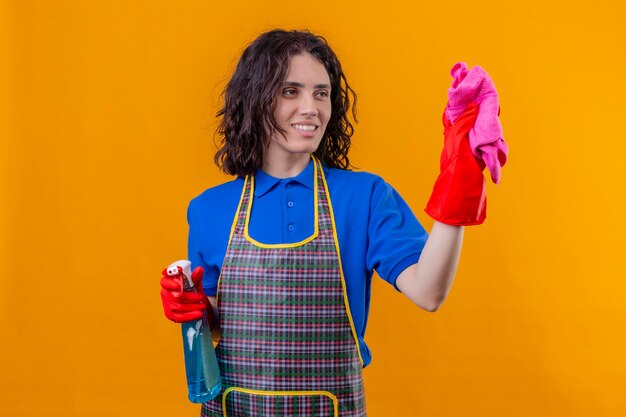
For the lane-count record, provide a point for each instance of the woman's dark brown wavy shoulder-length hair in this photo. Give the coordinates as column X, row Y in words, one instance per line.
column 246, row 121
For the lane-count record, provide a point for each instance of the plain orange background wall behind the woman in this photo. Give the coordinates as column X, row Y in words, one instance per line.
column 107, row 111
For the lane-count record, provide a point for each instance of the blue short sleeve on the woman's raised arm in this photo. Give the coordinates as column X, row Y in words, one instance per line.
column 396, row 238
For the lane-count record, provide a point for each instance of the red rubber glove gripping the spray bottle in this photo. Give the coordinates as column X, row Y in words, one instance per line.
column 179, row 306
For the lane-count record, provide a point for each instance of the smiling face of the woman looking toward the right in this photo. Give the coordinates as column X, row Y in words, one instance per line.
column 302, row 109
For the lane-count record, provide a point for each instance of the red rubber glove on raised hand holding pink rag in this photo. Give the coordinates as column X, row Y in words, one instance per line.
column 459, row 195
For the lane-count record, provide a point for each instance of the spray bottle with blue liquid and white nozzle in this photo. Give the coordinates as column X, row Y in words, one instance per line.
column 203, row 375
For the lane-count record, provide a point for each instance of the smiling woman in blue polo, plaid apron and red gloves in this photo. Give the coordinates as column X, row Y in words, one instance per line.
column 286, row 250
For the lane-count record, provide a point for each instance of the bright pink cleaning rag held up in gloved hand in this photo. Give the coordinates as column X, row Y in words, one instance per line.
column 485, row 138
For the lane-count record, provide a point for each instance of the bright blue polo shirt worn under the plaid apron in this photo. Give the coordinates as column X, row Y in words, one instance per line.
column 377, row 230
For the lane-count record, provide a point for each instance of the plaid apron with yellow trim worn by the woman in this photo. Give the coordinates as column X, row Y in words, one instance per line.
column 288, row 344
